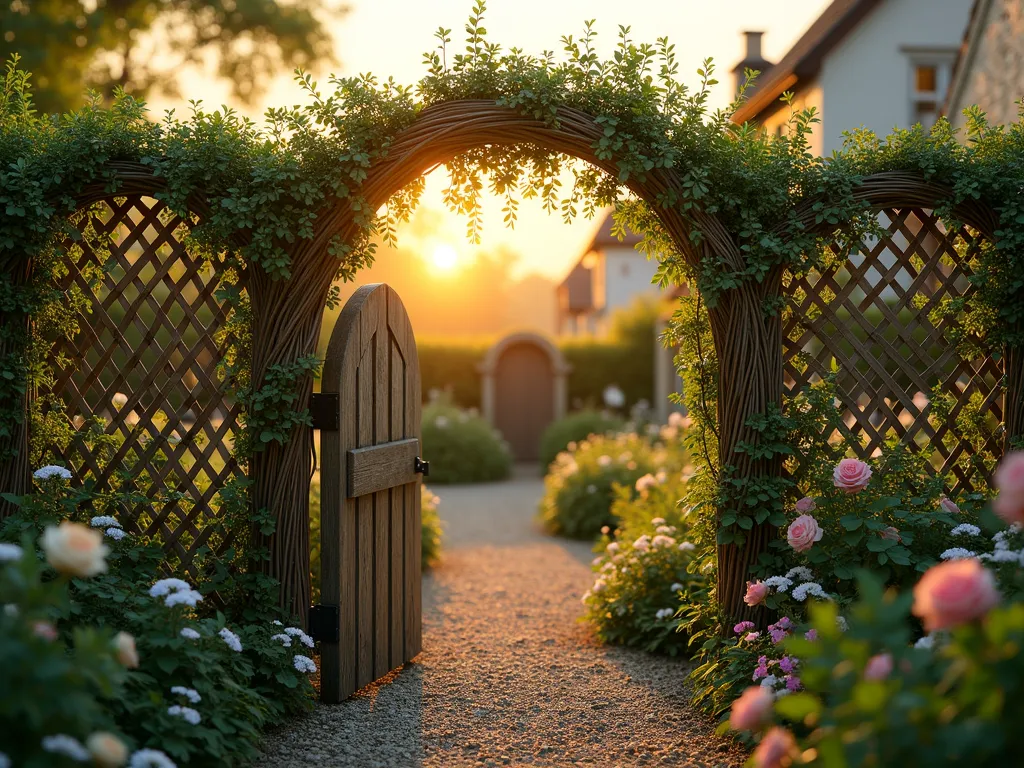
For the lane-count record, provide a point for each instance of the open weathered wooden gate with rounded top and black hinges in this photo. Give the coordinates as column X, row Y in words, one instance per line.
column 370, row 516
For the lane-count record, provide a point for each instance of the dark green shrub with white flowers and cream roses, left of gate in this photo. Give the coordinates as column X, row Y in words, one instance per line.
column 113, row 660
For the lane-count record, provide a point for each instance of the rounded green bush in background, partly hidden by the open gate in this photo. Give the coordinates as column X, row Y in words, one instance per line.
column 462, row 448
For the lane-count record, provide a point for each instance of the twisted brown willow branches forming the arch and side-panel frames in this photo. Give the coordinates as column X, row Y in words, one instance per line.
column 287, row 314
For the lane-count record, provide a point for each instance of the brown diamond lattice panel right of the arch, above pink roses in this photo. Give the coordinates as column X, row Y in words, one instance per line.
column 872, row 316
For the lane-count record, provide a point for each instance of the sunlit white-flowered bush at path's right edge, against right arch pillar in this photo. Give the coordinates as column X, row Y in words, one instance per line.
column 646, row 573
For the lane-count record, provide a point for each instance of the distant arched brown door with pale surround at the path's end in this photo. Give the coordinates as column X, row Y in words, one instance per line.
column 523, row 380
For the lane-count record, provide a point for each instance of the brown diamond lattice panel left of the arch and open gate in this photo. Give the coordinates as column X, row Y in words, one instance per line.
column 144, row 366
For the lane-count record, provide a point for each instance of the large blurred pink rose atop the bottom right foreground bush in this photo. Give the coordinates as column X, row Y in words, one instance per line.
column 953, row 593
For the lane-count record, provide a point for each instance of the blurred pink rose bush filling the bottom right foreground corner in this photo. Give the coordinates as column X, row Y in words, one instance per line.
column 874, row 698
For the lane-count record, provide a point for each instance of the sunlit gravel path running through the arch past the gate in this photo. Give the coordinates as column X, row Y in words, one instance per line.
column 508, row 675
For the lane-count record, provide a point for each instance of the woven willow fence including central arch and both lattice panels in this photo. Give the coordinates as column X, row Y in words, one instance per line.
column 155, row 327
